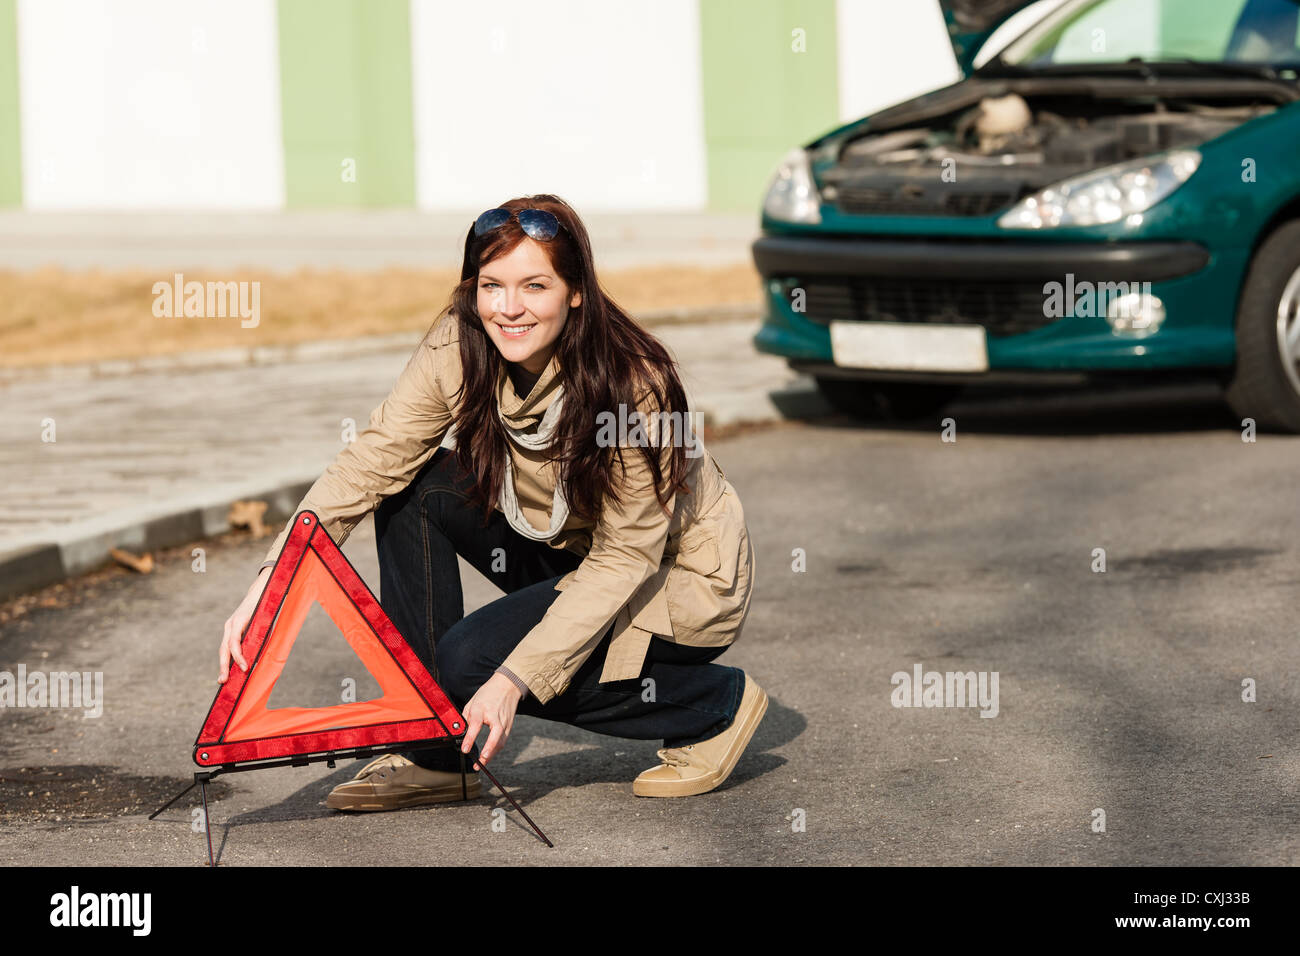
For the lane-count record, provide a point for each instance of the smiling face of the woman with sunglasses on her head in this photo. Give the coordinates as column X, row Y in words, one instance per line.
column 522, row 292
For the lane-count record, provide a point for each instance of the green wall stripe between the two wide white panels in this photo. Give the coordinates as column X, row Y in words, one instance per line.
column 345, row 88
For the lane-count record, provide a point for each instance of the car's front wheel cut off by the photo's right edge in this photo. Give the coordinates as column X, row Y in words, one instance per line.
column 1266, row 380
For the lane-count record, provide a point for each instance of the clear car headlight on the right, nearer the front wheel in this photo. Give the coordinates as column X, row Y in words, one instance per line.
column 1104, row 196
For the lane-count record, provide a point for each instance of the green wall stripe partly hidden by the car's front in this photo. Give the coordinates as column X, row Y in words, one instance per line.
column 761, row 100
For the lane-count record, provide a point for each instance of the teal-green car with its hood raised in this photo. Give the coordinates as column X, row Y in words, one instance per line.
column 1115, row 194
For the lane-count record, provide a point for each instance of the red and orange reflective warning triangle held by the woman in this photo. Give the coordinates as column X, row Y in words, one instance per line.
column 411, row 707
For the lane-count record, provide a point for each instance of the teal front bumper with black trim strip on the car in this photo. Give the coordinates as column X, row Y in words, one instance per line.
column 999, row 284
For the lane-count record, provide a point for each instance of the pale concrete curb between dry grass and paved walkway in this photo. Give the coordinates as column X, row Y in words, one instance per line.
column 311, row 352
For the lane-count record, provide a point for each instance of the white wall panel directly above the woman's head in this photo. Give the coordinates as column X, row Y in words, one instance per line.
column 596, row 102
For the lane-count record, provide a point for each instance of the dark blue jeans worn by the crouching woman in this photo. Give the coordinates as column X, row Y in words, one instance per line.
column 422, row 530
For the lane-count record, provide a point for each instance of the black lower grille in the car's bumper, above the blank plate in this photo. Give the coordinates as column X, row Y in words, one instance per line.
column 1003, row 308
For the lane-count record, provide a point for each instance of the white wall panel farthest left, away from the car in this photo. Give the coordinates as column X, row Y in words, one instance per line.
column 150, row 105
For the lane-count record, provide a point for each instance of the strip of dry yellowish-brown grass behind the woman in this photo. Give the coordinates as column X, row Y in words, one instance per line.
column 60, row 317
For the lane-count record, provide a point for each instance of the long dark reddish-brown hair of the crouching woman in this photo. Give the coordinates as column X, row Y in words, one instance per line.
column 605, row 360
